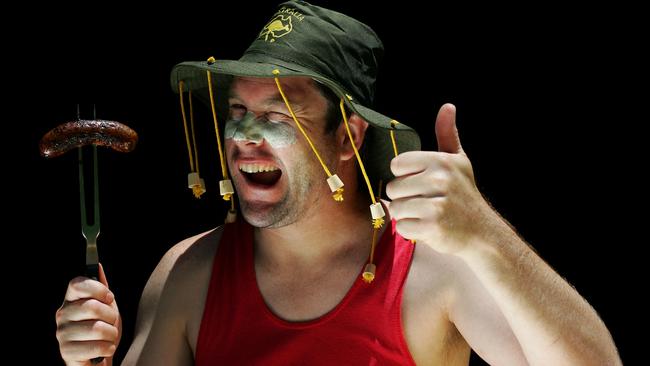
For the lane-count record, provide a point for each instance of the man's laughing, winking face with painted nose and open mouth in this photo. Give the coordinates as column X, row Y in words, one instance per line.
column 277, row 177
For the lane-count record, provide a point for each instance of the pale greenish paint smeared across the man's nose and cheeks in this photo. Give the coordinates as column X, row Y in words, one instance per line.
column 249, row 128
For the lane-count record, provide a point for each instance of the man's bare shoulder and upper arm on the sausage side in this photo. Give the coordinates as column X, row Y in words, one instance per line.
column 173, row 299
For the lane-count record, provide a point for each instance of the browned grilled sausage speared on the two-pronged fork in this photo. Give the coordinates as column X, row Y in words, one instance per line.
column 69, row 135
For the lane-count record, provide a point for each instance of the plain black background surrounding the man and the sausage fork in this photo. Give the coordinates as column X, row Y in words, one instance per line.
column 544, row 113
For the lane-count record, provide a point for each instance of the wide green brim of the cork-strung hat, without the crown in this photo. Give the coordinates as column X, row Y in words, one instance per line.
column 378, row 141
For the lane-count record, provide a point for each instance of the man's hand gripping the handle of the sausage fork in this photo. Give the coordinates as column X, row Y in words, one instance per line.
column 88, row 323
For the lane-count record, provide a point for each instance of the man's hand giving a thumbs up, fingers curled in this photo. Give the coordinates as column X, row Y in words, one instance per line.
column 435, row 200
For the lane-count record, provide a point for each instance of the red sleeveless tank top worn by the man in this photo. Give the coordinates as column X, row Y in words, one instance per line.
column 365, row 328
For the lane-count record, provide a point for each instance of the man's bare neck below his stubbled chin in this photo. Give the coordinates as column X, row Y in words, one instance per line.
column 334, row 231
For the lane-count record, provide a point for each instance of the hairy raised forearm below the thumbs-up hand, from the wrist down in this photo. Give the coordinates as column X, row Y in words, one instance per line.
column 553, row 323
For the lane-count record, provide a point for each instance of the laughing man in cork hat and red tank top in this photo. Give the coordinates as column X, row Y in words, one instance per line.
column 285, row 286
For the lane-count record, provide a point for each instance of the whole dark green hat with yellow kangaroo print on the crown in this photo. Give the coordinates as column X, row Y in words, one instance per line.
column 306, row 40
